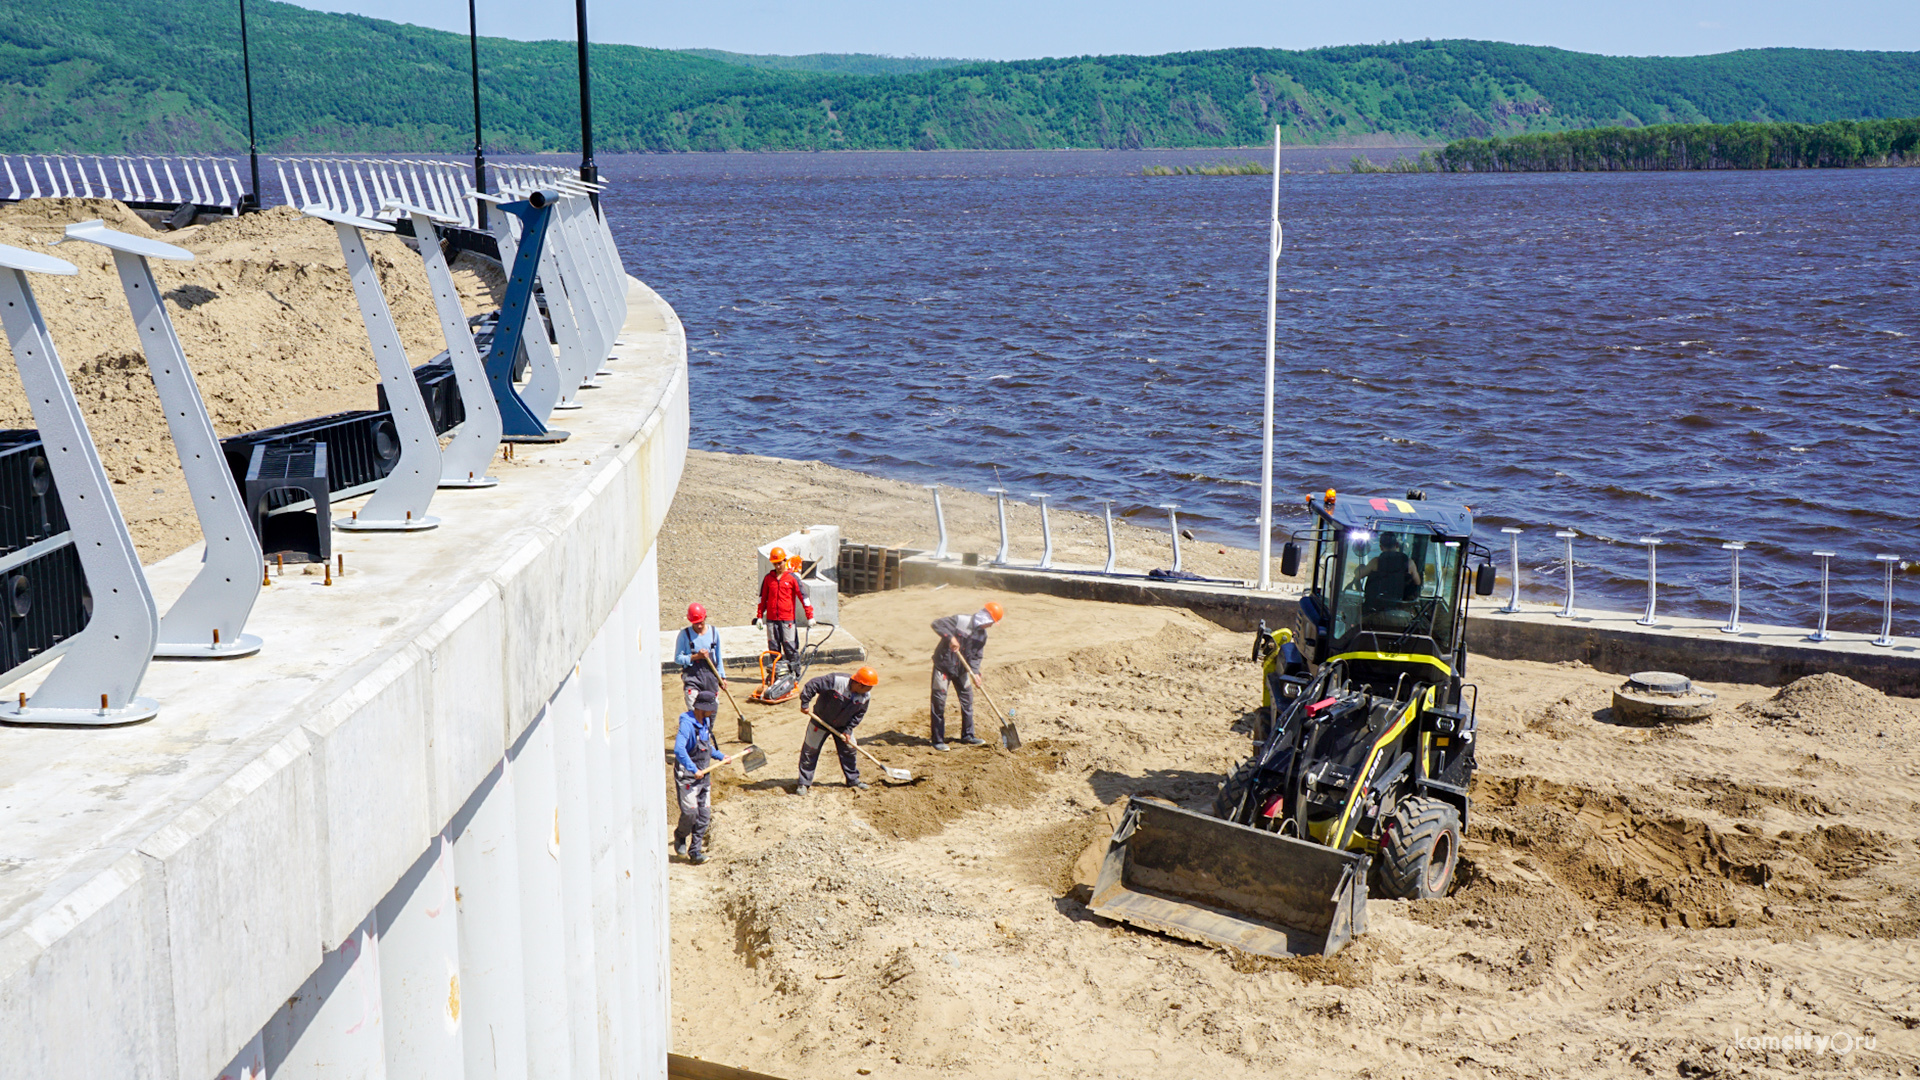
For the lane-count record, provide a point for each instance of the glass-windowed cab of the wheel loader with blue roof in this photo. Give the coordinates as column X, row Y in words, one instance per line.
column 1389, row 589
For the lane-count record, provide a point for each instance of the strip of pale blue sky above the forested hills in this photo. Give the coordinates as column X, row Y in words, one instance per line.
column 1017, row 30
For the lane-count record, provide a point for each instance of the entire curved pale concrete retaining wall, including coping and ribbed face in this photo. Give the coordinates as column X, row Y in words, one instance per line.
column 420, row 835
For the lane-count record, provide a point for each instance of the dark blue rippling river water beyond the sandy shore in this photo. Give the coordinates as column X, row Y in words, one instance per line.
column 1700, row 356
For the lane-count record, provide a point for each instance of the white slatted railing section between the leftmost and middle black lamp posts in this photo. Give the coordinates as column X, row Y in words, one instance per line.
column 370, row 187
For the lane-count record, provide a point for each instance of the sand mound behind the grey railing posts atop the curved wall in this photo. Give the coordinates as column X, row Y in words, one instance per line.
column 266, row 314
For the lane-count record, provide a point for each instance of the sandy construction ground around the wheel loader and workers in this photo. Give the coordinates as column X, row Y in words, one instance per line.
column 1633, row 902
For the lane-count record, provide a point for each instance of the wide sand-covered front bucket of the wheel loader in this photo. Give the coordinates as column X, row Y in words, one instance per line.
column 1214, row 881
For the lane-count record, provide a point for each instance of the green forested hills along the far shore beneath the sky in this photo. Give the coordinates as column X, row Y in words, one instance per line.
column 141, row 76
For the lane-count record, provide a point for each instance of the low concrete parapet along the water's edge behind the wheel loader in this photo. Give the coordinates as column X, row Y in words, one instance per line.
column 1608, row 641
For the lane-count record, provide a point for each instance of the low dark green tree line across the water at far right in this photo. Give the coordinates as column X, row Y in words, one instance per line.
column 1835, row 145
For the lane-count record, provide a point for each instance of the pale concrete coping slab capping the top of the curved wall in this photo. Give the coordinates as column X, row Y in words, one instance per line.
column 277, row 798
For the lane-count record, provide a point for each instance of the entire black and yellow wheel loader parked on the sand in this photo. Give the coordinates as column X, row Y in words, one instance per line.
column 1364, row 756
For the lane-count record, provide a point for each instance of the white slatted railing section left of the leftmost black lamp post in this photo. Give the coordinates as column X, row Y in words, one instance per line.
column 147, row 180
